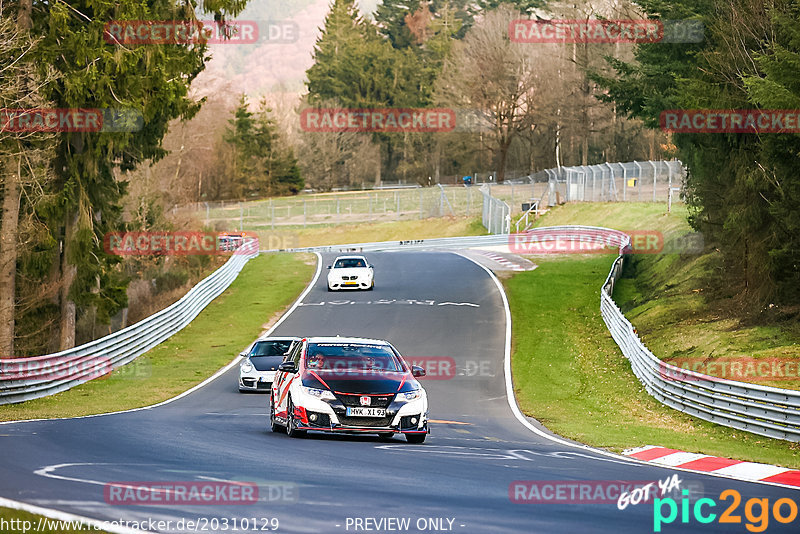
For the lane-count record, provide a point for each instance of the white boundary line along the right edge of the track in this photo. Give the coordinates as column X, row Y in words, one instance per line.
column 512, row 403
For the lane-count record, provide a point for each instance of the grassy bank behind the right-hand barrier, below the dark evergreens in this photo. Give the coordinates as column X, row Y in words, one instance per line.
column 687, row 319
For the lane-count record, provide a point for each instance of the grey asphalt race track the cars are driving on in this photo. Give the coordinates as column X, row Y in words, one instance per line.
column 428, row 304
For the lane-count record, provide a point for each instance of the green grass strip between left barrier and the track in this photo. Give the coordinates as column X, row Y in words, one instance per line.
column 263, row 290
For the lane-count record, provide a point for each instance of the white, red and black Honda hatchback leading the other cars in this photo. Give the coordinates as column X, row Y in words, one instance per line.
column 350, row 385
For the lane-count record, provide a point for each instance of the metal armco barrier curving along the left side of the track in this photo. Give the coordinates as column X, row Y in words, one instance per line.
column 23, row 379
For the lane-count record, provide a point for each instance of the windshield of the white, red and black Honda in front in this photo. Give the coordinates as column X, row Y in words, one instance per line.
column 352, row 356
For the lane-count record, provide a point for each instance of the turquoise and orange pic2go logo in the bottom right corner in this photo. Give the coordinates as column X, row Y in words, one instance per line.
column 757, row 511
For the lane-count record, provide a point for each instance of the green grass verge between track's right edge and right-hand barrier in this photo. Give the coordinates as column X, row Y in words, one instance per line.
column 570, row 375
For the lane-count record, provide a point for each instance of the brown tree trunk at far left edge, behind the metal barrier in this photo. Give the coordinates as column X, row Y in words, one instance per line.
column 8, row 256
